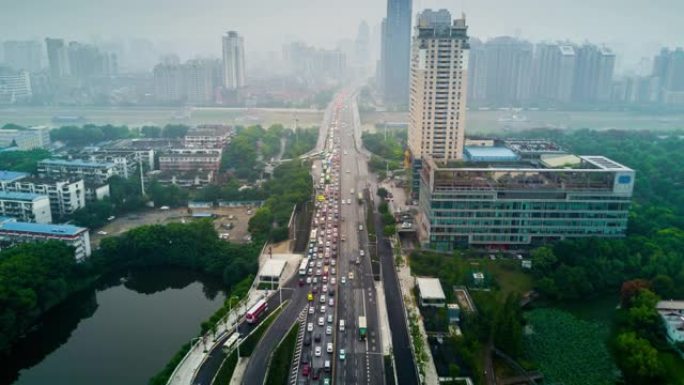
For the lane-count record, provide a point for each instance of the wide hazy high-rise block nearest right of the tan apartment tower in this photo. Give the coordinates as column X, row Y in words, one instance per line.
column 509, row 70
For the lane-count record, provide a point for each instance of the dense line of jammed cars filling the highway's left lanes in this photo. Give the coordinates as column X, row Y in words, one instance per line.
column 318, row 270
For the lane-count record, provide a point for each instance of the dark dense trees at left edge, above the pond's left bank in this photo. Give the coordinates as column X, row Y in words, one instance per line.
column 34, row 278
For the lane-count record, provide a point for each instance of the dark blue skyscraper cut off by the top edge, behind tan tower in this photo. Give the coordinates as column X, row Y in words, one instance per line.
column 396, row 42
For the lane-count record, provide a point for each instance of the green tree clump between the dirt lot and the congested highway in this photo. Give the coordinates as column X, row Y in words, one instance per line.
column 291, row 185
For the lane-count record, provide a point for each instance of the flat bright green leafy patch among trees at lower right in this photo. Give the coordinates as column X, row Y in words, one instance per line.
column 569, row 350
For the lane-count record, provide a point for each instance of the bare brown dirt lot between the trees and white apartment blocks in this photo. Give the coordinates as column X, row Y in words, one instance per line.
column 224, row 217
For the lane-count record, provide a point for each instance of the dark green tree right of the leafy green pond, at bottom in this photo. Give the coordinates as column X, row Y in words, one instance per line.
column 639, row 360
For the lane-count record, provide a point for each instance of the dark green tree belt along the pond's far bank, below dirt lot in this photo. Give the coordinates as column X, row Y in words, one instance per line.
column 194, row 246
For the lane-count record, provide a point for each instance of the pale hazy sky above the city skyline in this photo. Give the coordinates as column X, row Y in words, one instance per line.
column 634, row 28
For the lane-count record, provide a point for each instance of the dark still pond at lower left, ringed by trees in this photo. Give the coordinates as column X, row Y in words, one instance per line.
column 117, row 334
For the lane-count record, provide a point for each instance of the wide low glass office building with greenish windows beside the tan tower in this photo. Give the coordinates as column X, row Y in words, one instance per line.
column 524, row 199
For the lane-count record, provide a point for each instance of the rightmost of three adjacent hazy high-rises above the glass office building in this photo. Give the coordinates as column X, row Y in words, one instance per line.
column 593, row 74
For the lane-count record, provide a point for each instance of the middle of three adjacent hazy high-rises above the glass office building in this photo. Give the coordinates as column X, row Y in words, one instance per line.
column 554, row 70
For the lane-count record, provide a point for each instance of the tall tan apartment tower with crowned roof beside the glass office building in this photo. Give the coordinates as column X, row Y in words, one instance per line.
column 439, row 73
